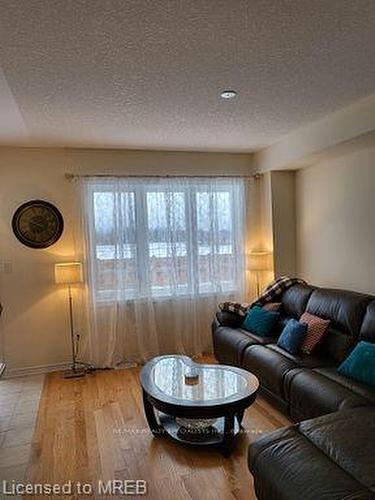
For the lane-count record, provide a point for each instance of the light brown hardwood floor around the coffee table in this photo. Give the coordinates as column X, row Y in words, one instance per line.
column 94, row 429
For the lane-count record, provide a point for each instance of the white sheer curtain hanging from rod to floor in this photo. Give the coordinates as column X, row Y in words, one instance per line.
column 160, row 254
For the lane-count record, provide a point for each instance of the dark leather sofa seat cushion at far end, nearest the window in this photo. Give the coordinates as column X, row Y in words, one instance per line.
column 230, row 343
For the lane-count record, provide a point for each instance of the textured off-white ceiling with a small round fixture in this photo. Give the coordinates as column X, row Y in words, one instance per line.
column 148, row 73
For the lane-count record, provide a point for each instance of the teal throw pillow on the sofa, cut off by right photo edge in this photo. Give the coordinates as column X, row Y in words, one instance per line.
column 360, row 364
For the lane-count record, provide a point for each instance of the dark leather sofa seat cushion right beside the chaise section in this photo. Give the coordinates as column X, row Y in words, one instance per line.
column 310, row 394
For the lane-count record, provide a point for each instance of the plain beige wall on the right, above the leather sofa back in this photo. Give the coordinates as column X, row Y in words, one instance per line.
column 336, row 222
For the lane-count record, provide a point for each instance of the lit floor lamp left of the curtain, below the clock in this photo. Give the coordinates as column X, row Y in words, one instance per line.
column 70, row 273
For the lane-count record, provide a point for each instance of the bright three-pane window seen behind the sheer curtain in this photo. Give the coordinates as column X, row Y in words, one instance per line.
column 165, row 237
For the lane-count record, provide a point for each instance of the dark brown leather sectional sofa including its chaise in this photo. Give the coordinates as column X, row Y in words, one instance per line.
column 329, row 454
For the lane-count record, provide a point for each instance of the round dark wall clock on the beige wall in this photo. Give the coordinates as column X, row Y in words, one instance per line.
column 37, row 224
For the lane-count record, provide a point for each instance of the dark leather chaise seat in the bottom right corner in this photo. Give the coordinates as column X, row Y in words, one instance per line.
column 316, row 460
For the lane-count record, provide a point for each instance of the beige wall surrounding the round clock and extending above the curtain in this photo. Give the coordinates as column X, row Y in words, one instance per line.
column 35, row 323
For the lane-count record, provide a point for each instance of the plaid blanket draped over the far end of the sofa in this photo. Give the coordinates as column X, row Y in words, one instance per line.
column 271, row 294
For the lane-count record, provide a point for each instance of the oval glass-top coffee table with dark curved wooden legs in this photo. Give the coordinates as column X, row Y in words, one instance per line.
column 196, row 404
